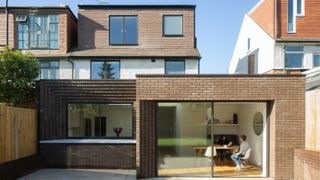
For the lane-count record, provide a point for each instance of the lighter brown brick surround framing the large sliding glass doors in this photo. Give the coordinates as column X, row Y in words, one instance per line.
column 285, row 95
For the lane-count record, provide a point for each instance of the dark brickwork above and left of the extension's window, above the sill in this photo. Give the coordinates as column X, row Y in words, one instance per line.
column 56, row 94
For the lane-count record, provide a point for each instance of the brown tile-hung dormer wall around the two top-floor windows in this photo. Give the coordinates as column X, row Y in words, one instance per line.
column 94, row 28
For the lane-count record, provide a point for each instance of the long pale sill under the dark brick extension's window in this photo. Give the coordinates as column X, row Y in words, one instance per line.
column 89, row 141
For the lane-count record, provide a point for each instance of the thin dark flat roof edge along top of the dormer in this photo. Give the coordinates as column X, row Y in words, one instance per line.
column 135, row 6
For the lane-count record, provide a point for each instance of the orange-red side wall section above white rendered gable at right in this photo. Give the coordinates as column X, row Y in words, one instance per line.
column 264, row 16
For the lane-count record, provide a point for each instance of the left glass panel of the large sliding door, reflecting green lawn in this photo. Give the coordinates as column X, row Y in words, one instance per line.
column 184, row 141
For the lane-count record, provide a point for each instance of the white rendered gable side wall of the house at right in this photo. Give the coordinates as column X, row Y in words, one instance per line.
column 261, row 44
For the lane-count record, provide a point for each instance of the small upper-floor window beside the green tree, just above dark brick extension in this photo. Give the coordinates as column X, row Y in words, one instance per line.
column 49, row 69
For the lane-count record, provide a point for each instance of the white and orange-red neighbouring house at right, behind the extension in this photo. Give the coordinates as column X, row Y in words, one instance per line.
column 278, row 37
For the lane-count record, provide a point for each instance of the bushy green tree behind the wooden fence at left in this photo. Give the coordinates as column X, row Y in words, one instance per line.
column 17, row 77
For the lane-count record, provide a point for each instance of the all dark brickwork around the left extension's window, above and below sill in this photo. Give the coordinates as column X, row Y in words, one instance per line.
column 54, row 97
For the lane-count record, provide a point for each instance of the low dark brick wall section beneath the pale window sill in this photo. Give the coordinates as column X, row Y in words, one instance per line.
column 116, row 156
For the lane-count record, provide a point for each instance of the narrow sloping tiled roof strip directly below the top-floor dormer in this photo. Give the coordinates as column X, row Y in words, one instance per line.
column 136, row 53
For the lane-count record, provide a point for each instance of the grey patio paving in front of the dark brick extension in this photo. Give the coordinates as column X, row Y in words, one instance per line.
column 83, row 174
